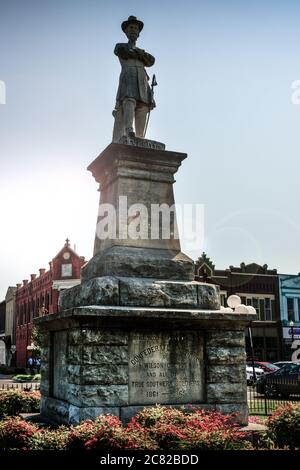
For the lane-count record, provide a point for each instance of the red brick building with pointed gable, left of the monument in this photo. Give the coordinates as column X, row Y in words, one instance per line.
column 39, row 296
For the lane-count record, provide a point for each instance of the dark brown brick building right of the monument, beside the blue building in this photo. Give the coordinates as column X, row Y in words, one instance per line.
column 257, row 286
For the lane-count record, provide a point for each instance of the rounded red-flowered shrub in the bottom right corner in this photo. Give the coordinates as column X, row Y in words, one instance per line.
column 284, row 426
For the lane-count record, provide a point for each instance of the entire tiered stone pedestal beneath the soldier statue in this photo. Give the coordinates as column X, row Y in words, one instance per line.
column 139, row 330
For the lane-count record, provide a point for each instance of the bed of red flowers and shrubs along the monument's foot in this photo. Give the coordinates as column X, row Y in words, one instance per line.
column 155, row 428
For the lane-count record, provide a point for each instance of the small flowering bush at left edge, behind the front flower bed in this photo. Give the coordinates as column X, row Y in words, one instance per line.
column 14, row 402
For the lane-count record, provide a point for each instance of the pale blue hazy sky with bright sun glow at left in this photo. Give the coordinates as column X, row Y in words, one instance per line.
column 225, row 71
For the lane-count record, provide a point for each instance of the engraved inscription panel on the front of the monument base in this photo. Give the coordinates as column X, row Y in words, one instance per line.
column 166, row 367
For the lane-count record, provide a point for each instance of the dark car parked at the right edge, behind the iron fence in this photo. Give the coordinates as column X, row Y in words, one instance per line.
column 284, row 382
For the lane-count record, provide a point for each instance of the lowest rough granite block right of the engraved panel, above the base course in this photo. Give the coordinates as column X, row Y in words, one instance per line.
column 226, row 393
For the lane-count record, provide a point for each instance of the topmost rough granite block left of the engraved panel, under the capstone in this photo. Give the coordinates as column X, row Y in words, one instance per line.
column 98, row 336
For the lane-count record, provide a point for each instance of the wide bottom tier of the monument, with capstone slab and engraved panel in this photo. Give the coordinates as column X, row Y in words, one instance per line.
column 117, row 360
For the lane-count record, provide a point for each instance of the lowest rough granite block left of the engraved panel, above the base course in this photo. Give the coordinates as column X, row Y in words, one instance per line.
column 97, row 395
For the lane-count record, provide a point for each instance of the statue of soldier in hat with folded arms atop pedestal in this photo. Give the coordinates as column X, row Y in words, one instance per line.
column 134, row 97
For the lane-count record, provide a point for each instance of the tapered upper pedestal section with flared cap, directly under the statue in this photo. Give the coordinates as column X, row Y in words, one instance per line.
column 138, row 183
